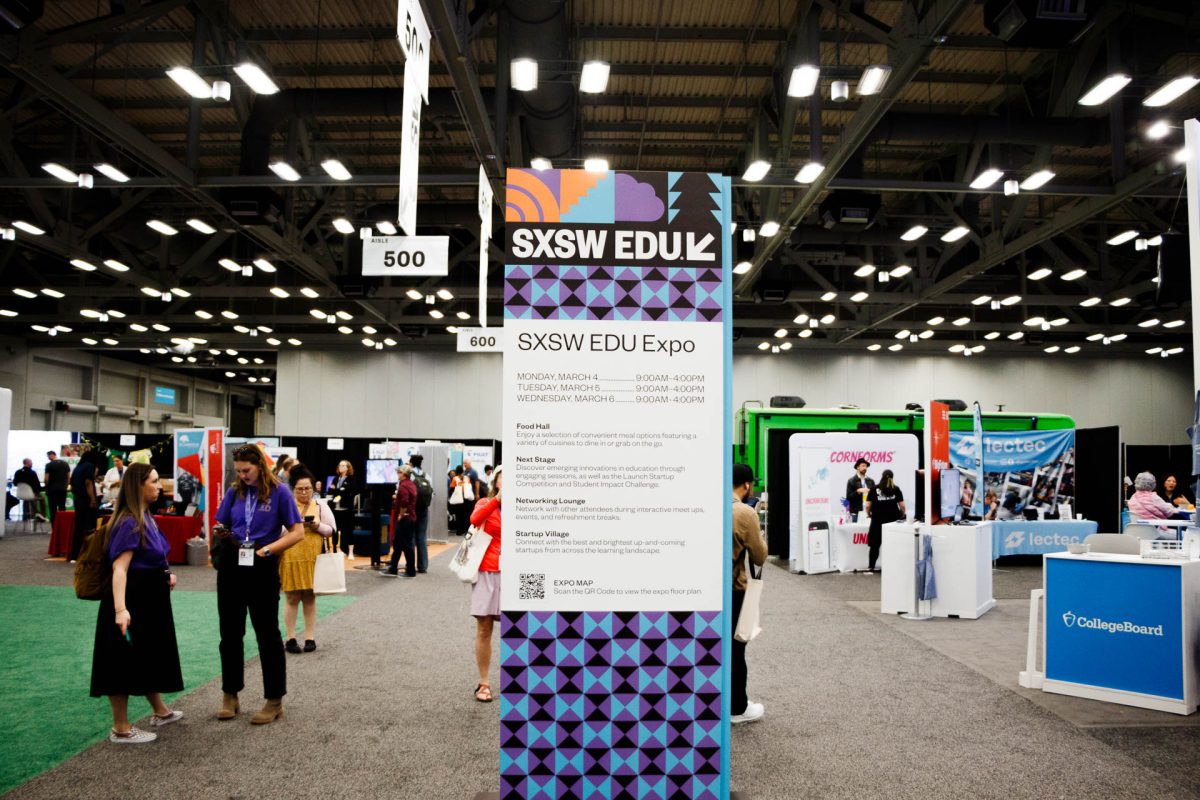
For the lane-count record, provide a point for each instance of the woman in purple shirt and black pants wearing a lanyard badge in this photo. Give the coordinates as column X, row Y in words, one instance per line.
column 251, row 516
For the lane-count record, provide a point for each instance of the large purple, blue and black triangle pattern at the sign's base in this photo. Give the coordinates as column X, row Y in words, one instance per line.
column 611, row 706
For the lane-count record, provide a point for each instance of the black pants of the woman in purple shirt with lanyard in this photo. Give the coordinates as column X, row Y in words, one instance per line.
column 255, row 590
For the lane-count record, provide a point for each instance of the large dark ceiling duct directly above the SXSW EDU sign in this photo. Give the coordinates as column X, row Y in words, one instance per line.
column 539, row 31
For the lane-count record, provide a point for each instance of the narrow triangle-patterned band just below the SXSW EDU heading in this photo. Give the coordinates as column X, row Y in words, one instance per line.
column 667, row 294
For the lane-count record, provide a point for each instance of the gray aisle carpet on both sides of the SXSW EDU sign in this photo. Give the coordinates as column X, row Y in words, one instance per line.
column 855, row 709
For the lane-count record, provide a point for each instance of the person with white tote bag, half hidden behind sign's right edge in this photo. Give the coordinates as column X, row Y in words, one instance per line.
column 749, row 549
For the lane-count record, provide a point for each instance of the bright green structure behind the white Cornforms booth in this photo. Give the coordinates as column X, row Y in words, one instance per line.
column 763, row 441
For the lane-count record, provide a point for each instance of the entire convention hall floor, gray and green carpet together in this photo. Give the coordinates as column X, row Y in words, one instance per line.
column 859, row 706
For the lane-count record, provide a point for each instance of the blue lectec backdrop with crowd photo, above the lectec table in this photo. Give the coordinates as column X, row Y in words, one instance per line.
column 1028, row 470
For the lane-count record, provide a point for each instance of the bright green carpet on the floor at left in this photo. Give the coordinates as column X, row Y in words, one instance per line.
column 46, row 673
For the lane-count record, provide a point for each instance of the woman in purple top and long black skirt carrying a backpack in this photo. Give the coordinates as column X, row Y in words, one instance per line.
column 135, row 652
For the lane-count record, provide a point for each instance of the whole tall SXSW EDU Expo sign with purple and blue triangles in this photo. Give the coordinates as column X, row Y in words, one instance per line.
column 617, row 545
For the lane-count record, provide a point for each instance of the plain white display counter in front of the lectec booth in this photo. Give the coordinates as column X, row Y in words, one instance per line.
column 962, row 564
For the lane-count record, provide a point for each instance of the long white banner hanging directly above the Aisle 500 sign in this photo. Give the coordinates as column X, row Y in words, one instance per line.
column 415, row 40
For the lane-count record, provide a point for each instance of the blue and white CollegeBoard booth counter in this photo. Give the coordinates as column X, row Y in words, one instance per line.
column 1124, row 629
